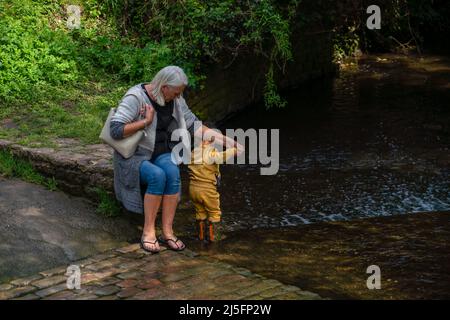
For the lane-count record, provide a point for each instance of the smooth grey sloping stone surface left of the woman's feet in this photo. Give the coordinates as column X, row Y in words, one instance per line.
column 42, row 229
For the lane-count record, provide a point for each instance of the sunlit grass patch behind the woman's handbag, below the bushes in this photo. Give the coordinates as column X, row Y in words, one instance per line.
column 76, row 112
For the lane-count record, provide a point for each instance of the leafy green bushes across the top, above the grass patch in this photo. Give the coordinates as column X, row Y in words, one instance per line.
column 142, row 36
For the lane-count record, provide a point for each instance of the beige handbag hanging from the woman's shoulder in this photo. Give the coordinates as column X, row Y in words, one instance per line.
column 126, row 146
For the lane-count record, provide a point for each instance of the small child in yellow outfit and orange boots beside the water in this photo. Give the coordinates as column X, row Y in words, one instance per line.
column 204, row 177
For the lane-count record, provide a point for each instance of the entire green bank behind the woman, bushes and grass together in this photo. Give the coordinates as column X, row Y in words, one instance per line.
column 46, row 67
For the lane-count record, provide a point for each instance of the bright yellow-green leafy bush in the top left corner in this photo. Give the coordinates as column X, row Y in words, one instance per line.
column 30, row 51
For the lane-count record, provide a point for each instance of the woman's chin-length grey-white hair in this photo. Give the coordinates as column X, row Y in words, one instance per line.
column 172, row 76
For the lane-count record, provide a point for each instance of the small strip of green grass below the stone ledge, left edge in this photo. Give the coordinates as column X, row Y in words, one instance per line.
column 10, row 166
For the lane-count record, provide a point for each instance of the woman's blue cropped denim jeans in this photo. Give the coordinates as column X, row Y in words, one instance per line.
column 161, row 177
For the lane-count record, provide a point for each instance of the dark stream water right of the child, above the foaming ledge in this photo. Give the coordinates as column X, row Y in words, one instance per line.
column 374, row 141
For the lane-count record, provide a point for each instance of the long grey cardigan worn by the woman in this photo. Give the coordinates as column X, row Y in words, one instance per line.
column 127, row 185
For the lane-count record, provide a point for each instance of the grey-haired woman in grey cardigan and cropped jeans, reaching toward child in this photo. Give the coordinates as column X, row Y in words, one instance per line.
column 159, row 108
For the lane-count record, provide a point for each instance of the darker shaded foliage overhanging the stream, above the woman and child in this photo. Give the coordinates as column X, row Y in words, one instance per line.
column 198, row 32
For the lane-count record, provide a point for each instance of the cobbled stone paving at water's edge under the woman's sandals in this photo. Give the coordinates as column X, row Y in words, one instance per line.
column 131, row 273
